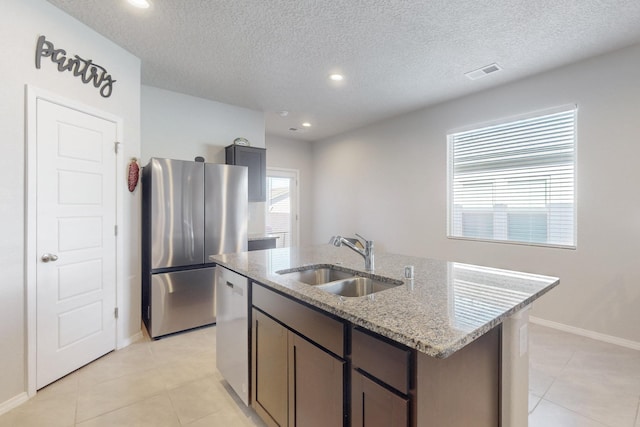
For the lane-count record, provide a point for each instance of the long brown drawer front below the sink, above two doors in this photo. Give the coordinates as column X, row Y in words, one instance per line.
column 314, row 325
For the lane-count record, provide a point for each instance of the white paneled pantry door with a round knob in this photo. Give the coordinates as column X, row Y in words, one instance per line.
column 75, row 240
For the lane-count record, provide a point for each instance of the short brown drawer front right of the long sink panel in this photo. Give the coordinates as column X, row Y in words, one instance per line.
column 385, row 361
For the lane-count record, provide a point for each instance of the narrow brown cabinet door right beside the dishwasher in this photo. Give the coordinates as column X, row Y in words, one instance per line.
column 269, row 369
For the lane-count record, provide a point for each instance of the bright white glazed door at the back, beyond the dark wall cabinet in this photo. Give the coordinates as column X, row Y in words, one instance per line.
column 282, row 206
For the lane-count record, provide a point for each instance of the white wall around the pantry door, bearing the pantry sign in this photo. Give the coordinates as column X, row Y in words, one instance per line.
column 21, row 23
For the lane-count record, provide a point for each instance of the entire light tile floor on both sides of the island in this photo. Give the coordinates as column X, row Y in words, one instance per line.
column 574, row 382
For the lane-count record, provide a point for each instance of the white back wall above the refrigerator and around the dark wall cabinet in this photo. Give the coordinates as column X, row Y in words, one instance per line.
column 178, row 126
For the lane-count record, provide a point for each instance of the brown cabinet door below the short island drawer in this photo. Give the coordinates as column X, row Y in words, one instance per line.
column 374, row 406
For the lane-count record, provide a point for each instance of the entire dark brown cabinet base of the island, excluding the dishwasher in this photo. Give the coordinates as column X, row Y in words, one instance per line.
column 302, row 374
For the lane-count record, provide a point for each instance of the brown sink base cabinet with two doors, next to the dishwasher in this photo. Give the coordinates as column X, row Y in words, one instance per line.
column 296, row 381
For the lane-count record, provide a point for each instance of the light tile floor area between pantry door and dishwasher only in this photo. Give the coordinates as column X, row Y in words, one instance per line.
column 169, row 382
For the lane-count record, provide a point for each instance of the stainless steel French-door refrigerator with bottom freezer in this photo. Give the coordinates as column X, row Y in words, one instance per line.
column 190, row 210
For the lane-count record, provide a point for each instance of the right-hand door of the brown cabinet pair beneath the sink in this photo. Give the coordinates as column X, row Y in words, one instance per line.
column 317, row 385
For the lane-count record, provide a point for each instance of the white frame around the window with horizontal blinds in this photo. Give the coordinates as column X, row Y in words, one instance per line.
column 506, row 121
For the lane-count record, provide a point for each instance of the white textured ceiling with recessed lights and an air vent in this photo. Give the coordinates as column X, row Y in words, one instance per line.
column 396, row 55
